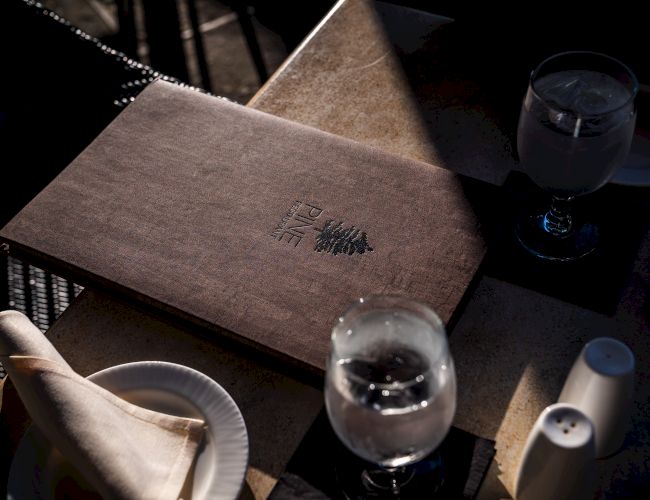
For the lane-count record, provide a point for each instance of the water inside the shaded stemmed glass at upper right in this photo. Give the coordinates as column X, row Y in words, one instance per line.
column 576, row 131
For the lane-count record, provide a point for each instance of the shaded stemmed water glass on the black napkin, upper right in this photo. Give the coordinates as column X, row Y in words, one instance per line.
column 575, row 129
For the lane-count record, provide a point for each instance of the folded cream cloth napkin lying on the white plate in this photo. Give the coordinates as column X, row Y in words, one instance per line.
column 122, row 450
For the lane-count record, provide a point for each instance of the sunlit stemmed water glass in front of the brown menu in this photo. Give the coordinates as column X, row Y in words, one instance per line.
column 390, row 389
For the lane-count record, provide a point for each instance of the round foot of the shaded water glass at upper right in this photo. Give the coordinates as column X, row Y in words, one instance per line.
column 535, row 238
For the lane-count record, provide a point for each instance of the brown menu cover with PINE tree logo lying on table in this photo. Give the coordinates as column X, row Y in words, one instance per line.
column 248, row 223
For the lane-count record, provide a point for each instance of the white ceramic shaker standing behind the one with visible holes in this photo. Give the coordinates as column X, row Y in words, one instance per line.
column 601, row 385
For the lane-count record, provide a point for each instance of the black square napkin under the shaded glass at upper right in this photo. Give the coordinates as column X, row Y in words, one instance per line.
column 595, row 282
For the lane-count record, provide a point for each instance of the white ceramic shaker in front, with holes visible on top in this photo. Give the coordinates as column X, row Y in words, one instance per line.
column 558, row 460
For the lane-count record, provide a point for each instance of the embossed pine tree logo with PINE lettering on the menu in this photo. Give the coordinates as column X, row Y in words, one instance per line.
column 331, row 236
